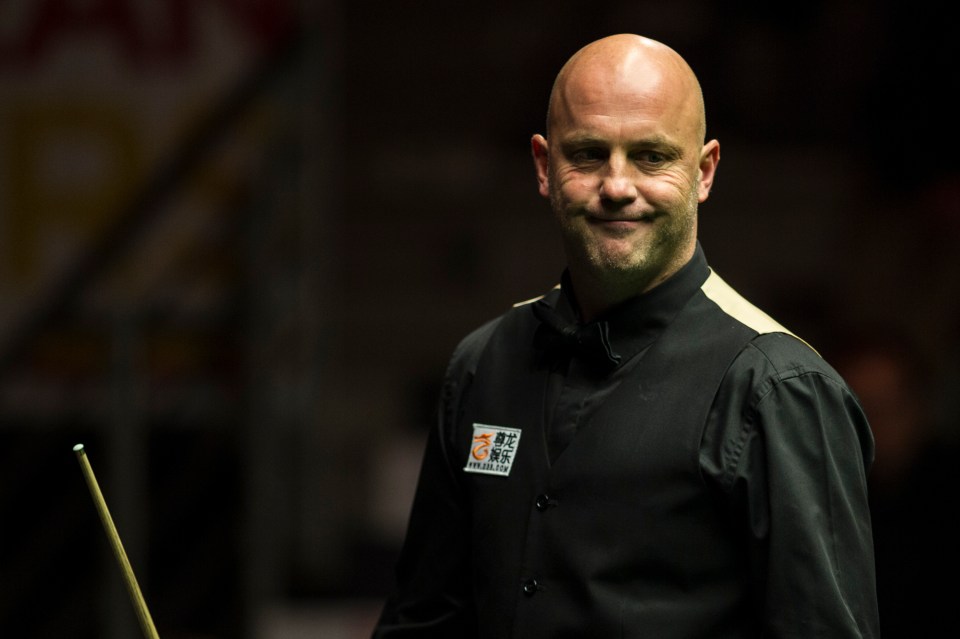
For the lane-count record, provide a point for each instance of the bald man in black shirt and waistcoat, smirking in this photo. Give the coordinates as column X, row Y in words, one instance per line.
column 640, row 452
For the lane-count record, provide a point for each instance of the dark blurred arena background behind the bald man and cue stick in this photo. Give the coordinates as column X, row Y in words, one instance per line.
column 239, row 239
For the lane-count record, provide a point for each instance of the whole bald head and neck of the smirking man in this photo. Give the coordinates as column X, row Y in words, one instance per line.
column 625, row 166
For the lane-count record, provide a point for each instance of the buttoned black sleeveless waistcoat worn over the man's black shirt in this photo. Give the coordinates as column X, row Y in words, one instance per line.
column 621, row 537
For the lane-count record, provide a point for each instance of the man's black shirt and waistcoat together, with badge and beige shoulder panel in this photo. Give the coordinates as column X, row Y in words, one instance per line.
column 683, row 467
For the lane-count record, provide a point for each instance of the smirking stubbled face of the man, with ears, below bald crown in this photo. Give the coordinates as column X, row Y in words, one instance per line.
column 622, row 170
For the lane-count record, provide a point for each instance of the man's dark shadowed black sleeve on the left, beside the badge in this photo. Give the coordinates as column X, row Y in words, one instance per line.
column 433, row 595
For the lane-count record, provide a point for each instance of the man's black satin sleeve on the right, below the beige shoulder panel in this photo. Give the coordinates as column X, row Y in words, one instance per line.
column 792, row 448
